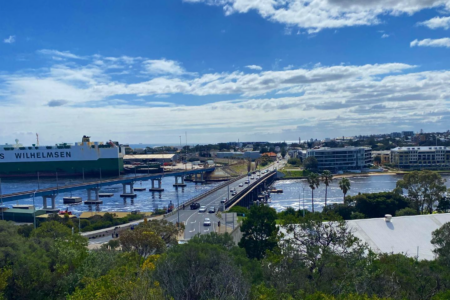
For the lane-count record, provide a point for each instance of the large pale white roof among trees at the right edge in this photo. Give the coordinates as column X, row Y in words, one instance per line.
column 401, row 235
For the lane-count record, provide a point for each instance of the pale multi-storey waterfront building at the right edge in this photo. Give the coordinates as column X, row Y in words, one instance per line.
column 416, row 158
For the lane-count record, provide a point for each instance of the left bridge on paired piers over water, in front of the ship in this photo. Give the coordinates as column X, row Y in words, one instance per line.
column 51, row 193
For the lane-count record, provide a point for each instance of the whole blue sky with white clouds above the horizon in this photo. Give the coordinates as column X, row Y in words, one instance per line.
column 148, row 71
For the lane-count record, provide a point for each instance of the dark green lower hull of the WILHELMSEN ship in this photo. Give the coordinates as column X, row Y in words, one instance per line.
column 107, row 167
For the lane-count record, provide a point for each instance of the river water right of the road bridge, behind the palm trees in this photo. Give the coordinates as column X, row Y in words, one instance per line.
column 292, row 191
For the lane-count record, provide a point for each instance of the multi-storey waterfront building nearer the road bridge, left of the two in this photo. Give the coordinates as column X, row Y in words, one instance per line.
column 342, row 159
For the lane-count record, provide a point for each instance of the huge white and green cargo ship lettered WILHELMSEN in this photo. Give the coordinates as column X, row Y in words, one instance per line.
column 85, row 158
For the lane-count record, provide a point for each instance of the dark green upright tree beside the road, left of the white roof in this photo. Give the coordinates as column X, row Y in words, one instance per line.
column 259, row 231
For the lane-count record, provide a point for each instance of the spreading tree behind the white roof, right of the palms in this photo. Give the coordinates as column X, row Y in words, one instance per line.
column 424, row 189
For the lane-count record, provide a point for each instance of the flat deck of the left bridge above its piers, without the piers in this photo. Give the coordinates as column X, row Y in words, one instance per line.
column 96, row 184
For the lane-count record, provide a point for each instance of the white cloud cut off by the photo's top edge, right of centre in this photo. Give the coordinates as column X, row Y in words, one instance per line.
column 316, row 15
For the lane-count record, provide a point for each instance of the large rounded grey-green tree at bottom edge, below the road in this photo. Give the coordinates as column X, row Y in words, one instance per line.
column 200, row 271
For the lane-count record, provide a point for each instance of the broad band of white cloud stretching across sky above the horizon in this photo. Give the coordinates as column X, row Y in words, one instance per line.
column 320, row 100
